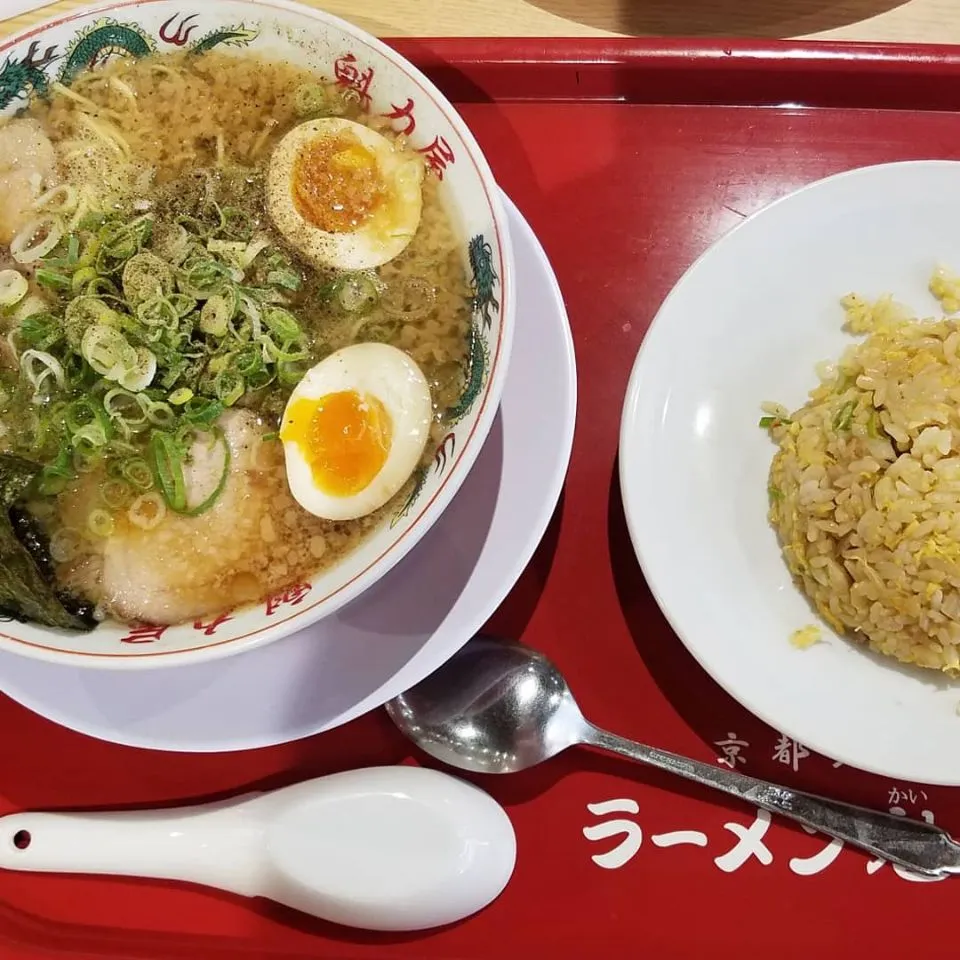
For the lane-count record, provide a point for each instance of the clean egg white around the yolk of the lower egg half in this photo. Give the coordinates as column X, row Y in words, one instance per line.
column 398, row 383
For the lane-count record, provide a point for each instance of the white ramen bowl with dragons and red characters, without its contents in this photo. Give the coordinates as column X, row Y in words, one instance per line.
column 335, row 49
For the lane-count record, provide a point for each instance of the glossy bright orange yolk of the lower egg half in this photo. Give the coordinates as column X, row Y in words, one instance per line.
column 343, row 436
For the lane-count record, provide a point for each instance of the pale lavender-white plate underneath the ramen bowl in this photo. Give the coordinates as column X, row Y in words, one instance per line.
column 405, row 626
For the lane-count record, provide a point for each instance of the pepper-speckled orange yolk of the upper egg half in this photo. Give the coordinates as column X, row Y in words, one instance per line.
column 336, row 183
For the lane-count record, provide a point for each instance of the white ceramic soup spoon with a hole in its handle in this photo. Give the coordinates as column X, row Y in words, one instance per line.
column 384, row 848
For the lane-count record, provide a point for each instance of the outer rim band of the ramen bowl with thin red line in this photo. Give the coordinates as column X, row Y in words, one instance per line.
column 431, row 510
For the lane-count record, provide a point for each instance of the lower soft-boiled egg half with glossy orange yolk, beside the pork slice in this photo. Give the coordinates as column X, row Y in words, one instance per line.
column 354, row 430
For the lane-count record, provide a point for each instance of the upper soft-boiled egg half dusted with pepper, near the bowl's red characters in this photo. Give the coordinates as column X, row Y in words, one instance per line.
column 343, row 195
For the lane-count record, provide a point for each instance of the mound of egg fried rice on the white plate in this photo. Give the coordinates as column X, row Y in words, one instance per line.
column 864, row 488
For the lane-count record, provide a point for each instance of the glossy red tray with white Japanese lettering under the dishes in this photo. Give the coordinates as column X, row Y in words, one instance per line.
column 628, row 158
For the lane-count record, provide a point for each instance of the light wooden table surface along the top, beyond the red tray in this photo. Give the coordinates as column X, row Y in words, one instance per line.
column 871, row 20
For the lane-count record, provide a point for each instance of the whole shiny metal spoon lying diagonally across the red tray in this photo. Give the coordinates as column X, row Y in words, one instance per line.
column 498, row 707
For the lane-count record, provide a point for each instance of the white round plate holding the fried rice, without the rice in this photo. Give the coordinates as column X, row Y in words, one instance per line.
column 747, row 323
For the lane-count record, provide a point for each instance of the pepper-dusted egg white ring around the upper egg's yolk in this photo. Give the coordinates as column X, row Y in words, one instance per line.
column 379, row 239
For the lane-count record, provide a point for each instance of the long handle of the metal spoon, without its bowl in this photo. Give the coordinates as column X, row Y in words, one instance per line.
column 918, row 846
